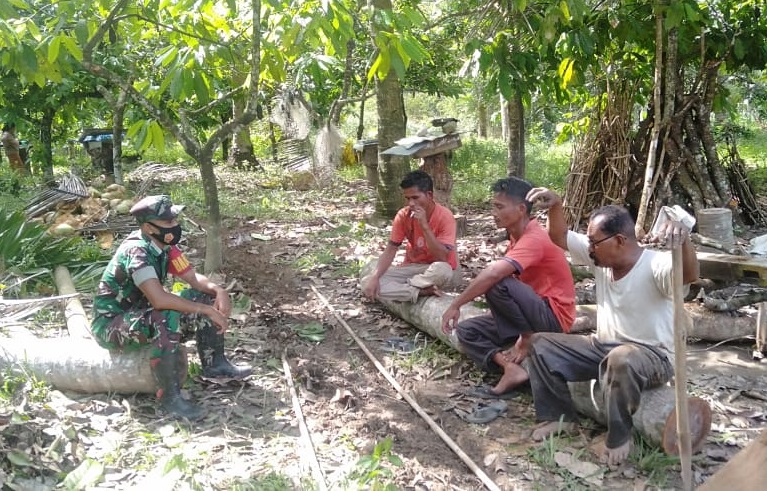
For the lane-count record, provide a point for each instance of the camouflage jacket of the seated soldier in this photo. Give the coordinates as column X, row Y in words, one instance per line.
column 118, row 291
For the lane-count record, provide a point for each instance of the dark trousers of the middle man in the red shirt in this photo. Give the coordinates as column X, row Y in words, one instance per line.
column 515, row 309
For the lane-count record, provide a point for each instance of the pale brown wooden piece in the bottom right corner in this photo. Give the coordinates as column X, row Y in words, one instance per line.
column 747, row 471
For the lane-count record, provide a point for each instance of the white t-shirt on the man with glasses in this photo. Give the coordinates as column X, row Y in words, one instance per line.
column 637, row 308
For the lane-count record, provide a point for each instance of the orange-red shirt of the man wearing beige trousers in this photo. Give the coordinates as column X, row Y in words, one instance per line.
column 441, row 222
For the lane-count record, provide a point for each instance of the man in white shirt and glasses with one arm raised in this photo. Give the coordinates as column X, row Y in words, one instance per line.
column 633, row 347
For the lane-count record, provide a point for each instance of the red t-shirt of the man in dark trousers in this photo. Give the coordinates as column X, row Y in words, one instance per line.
column 542, row 264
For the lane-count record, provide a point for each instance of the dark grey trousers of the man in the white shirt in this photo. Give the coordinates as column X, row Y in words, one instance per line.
column 623, row 370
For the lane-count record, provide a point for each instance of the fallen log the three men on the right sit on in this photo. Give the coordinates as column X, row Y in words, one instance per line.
column 655, row 419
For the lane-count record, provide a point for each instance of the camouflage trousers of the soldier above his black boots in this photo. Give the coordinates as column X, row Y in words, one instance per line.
column 162, row 329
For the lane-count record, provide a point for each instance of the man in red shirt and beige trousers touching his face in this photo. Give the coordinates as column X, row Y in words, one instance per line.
column 430, row 253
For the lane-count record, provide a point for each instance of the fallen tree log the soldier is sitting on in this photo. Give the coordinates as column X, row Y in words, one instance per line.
column 80, row 365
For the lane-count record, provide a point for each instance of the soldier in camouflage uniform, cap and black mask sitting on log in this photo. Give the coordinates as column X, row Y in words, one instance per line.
column 132, row 308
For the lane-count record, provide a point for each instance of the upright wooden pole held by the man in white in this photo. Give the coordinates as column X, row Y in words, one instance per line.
column 680, row 370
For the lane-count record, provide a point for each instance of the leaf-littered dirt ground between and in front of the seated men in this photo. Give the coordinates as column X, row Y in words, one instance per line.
column 251, row 437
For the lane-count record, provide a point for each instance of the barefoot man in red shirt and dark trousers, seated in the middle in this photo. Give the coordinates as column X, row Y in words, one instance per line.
column 529, row 290
